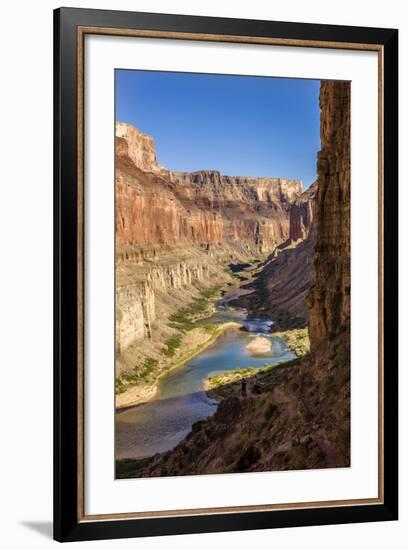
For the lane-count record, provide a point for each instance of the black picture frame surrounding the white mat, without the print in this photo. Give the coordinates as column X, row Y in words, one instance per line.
column 69, row 523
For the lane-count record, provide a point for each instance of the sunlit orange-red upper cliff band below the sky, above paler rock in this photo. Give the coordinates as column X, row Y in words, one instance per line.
column 155, row 206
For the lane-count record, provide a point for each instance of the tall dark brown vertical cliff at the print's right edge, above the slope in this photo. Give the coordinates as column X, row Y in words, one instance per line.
column 329, row 298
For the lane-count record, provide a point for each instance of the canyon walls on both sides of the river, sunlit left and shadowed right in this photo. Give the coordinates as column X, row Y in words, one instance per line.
column 178, row 236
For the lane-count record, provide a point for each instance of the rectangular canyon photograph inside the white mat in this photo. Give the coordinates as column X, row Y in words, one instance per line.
column 232, row 273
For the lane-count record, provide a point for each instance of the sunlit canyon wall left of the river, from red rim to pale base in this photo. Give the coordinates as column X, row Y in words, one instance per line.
column 175, row 234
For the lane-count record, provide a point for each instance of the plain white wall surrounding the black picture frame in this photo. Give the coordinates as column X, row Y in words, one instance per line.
column 26, row 274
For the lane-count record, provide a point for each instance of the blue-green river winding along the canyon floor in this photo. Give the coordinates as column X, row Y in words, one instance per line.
column 159, row 424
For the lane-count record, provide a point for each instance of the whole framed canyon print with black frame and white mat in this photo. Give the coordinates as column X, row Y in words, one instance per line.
column 225, row 274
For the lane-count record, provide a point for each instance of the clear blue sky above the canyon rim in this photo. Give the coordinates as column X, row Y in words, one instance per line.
column 239, row 125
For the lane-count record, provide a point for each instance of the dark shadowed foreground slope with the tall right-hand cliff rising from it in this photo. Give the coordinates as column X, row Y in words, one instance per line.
column 301, row 418
